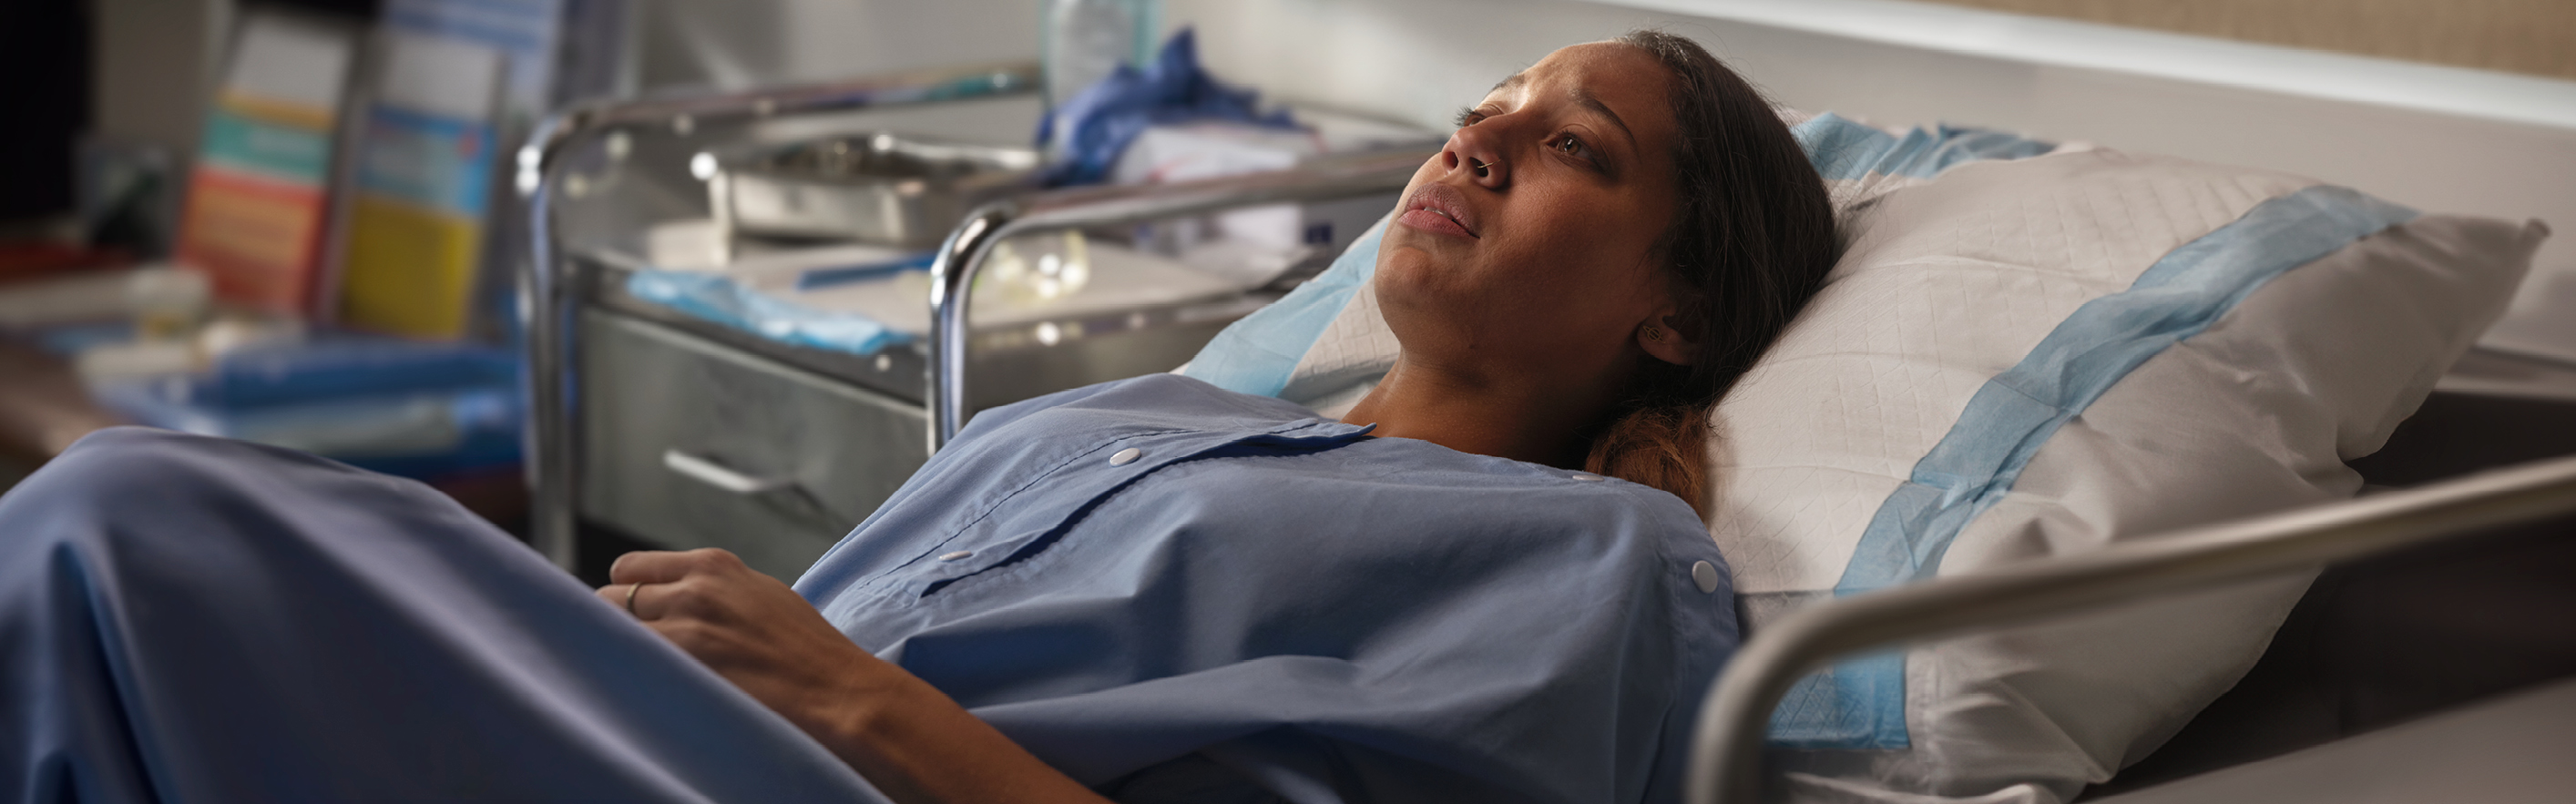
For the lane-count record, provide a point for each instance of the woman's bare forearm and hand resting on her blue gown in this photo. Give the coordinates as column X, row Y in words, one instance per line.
column 893, row 728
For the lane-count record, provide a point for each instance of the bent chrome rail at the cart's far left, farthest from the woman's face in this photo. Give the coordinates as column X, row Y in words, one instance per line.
column 547, row 287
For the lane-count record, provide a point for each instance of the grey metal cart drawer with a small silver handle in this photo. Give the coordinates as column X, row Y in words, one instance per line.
column 697, row 445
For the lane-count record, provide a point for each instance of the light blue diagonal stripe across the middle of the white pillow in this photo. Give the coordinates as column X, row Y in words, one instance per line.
column 1861, row 705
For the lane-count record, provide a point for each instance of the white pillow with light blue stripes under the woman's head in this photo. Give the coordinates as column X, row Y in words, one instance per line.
column 2023, row 359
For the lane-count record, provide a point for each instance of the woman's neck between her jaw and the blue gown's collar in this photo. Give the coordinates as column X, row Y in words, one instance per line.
column 1480, row 416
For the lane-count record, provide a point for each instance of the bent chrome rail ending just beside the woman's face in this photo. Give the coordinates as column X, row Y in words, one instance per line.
column 962, row 259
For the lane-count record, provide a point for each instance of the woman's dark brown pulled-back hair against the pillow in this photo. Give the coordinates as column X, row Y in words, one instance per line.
column 1748, row 249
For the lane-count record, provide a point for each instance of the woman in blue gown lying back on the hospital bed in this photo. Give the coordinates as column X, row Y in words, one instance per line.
column 1150, row 591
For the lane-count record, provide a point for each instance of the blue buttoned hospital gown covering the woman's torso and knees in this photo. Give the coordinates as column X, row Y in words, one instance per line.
column 1168, row 591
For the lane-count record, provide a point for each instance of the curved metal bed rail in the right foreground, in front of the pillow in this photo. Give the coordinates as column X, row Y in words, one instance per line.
column 1727, row 749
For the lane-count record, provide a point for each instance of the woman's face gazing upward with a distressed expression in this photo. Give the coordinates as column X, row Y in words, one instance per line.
column 1526, row 249
